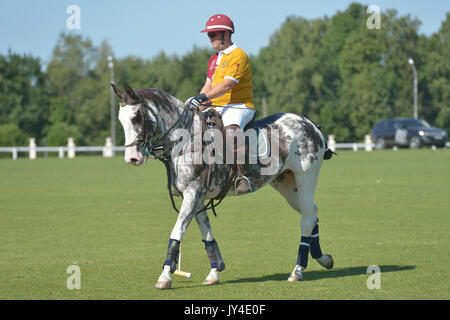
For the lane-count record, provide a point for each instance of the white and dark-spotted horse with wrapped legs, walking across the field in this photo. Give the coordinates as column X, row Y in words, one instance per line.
column 156, row 122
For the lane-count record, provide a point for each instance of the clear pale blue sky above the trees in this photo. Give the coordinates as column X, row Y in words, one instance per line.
column 145, row 28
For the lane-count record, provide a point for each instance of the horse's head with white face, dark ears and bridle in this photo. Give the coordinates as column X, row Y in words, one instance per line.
column 137, row 122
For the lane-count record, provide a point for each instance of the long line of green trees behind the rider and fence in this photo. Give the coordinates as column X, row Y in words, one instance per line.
column 334, row 70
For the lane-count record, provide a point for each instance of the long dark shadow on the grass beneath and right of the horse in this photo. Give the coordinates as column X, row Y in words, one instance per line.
column 323, row 274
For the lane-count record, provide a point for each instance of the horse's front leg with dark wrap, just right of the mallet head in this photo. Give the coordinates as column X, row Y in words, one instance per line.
column 212, row 249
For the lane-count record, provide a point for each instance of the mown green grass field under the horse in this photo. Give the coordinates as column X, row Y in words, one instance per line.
column 384, row 208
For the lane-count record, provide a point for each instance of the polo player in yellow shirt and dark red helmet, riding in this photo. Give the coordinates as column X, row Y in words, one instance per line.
column 228, row 89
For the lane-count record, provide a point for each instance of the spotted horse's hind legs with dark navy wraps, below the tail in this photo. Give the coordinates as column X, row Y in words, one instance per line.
column 299, row 190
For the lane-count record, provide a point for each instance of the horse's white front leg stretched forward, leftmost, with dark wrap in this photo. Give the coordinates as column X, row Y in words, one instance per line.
column 189, row 207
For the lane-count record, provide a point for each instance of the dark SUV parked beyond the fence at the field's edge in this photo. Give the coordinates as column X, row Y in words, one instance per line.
column 407, row 132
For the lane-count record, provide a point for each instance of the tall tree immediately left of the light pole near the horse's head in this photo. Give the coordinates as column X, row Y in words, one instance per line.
column 79, row 74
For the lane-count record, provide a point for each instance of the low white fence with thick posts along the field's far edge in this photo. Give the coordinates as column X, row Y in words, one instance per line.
column 108, row 150
